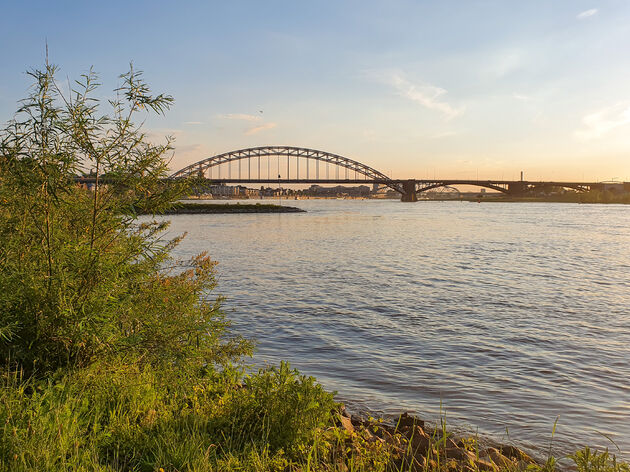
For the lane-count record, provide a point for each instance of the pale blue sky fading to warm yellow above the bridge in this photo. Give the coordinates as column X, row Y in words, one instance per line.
column 416, row 89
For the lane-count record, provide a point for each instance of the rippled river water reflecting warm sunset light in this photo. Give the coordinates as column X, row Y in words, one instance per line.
column 502, row 316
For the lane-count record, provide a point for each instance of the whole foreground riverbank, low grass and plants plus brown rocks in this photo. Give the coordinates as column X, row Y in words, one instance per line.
column 113, row 417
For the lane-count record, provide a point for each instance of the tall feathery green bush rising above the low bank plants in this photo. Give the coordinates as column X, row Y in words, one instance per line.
column 80, row 277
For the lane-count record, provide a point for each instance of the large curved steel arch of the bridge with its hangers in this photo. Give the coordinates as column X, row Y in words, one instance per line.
column 290, row 152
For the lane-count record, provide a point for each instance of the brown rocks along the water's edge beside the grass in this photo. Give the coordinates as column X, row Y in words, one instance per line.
column 414, row 446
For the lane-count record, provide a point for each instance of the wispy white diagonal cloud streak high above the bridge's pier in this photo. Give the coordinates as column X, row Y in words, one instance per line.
column 426, row 95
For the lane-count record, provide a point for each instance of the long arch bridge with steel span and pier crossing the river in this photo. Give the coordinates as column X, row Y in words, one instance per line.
column 298, row 165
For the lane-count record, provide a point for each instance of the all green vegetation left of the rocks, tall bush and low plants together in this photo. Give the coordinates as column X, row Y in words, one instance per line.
column 115, row 358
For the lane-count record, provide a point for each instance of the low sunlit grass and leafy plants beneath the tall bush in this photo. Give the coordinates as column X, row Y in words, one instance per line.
column 113, row 417
